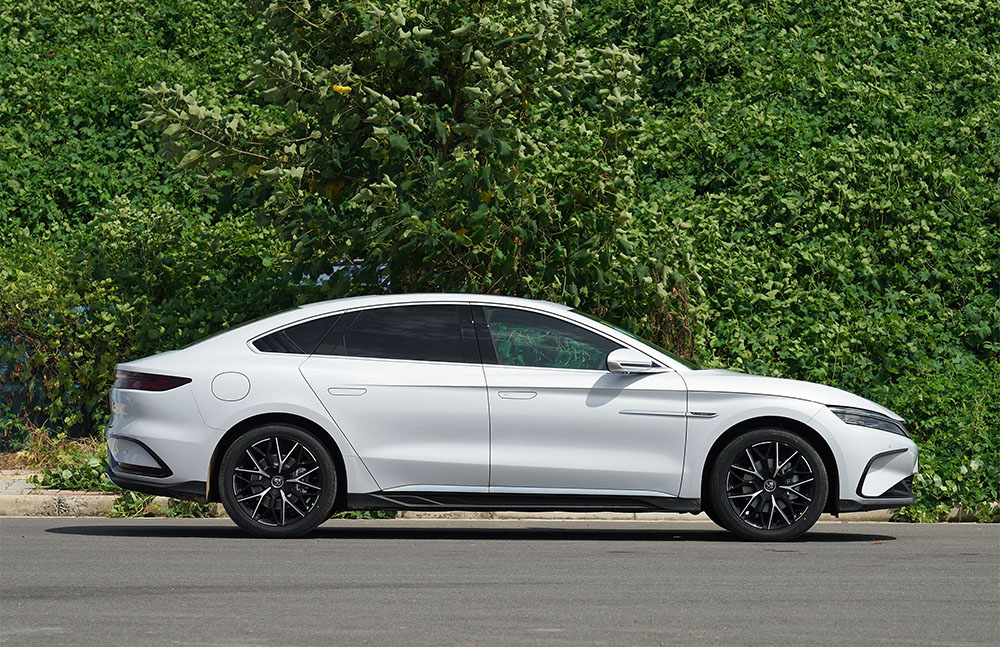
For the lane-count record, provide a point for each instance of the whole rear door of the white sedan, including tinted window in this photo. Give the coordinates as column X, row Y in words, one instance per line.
column 406, row 387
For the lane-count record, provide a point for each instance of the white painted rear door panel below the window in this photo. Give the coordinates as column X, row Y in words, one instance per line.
column 417, row 423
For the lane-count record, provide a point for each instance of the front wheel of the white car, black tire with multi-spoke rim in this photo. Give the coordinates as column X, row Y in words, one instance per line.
column 768, row 485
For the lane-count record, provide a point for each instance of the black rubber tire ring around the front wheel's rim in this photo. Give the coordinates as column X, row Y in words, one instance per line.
column 728, row 517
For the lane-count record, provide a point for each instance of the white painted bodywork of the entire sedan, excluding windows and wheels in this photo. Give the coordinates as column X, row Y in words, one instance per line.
column 426, row 425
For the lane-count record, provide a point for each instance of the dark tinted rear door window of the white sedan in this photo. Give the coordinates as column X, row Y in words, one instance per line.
column 430, row 333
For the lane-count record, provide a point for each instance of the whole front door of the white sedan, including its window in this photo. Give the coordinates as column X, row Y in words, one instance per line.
column 561, row 423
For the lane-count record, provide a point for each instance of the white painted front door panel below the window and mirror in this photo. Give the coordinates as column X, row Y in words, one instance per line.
column 572, row 435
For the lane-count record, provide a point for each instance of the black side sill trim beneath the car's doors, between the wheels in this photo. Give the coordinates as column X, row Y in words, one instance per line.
column 479, row 502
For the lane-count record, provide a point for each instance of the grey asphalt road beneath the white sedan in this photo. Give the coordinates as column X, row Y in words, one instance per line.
column 200, row 582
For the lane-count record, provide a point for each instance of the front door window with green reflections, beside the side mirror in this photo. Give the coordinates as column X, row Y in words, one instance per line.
column 524, row 338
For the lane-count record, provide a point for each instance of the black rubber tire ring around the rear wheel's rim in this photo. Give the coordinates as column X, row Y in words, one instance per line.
column 320, row 512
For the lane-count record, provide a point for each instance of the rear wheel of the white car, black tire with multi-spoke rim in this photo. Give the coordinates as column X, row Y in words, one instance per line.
column 278, row 481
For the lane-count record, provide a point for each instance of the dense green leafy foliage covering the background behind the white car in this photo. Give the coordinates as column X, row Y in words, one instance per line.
column 802, row 189
